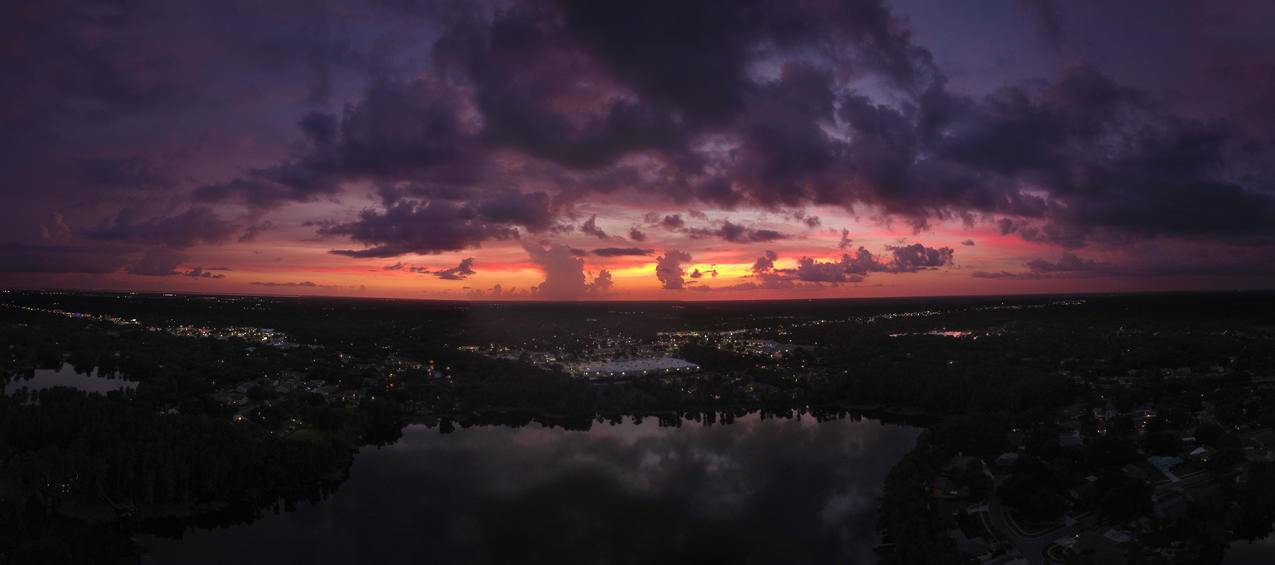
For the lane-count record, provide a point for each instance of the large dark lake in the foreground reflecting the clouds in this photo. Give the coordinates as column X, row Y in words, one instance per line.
column 752, row 492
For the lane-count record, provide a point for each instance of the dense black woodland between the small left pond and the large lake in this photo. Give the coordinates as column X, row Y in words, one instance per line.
column 77, row 457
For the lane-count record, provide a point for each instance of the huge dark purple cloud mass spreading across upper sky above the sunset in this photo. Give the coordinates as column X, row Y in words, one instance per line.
column 803, row 136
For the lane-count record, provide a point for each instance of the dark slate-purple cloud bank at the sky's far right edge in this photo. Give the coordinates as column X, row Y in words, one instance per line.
column 1110, row 159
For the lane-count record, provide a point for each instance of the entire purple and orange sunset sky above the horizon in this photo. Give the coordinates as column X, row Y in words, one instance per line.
column 664, row 150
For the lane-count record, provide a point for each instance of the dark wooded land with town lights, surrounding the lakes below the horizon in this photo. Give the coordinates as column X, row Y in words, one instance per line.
column 1142, row 428
